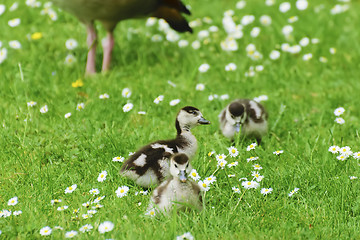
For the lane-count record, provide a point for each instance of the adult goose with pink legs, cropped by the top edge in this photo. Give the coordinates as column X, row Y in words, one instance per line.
column 110, row 12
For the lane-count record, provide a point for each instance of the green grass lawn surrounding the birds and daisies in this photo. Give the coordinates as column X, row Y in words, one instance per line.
column 42, row 156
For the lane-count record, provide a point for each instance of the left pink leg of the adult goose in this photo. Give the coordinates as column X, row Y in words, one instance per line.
column 91, row 42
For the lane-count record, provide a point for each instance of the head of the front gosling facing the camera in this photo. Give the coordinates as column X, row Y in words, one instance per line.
column 180, row 166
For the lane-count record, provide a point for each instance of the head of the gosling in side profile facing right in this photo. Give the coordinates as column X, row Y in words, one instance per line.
column 189, row 117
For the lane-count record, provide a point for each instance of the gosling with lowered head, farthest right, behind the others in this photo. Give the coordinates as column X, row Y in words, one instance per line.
column 249, row 114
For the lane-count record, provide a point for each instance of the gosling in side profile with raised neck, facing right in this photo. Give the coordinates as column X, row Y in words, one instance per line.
column 150, row 165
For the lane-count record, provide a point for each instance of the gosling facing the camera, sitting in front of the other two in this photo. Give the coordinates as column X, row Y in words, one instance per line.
column 177, row 190
